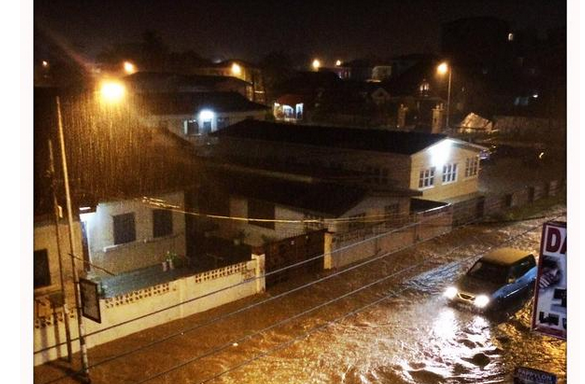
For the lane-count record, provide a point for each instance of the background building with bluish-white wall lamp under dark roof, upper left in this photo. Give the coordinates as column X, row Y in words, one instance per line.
column 193, row 115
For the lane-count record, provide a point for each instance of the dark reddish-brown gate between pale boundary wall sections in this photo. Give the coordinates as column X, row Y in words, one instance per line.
column 292, row 251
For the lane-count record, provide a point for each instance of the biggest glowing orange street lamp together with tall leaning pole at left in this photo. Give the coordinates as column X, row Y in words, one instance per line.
column 110, row 91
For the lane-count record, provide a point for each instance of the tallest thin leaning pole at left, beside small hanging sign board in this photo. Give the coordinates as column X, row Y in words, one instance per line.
column 81, row 326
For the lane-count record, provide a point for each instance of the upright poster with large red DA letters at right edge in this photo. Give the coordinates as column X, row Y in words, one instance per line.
column 550, row 302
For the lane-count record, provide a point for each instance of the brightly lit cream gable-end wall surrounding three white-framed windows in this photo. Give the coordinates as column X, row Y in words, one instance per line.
column 437, row 156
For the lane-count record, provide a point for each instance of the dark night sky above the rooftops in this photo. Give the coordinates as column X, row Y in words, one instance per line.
column 249, row 29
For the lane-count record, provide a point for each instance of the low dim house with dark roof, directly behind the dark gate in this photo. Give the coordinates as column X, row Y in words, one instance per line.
column 280, row 205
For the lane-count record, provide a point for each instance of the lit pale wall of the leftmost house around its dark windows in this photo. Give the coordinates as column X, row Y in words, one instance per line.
column 145, row 250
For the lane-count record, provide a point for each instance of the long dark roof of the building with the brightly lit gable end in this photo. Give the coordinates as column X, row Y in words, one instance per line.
column 405, row 143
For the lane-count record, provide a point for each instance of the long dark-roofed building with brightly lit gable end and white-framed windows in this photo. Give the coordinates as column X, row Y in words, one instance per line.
column 438, row 167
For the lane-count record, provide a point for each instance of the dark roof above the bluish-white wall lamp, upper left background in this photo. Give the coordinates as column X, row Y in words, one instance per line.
column 184, row 103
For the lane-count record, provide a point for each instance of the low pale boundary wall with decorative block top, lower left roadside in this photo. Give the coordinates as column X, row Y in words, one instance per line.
column 50, row 330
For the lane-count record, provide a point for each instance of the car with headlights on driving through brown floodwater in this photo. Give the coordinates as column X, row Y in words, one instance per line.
column 494, row 279
